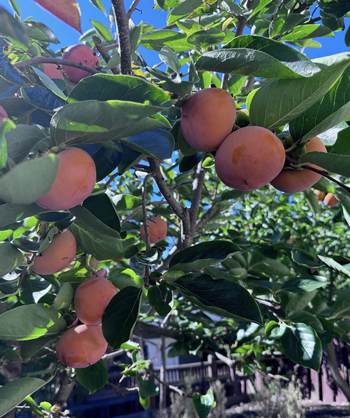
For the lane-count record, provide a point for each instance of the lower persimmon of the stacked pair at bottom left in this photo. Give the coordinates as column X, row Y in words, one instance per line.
column 81, row 346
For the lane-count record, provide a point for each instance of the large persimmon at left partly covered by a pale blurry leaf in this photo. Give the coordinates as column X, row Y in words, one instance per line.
column 75, row 180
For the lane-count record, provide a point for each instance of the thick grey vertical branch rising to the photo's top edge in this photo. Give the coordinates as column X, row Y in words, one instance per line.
column 122, row 22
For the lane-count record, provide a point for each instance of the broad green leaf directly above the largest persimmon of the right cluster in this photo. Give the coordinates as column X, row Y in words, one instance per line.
column 271, row 106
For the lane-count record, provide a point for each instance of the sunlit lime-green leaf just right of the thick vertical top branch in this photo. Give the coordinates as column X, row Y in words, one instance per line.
column 156, row 39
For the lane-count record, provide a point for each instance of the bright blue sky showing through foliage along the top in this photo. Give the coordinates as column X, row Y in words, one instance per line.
column 146, row 13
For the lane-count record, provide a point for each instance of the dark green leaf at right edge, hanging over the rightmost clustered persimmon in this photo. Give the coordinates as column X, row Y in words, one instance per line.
column 332, row 109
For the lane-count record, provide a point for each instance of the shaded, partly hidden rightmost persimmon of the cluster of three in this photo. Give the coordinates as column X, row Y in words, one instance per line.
column 293, row 181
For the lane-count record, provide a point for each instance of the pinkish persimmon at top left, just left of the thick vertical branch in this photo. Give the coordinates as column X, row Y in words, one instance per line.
column 83, row 54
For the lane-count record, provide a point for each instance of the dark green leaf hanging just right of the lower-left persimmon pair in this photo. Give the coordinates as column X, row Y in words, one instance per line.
column 120, row 316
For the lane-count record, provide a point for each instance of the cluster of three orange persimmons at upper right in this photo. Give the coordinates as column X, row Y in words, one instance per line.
column 247, row 158
